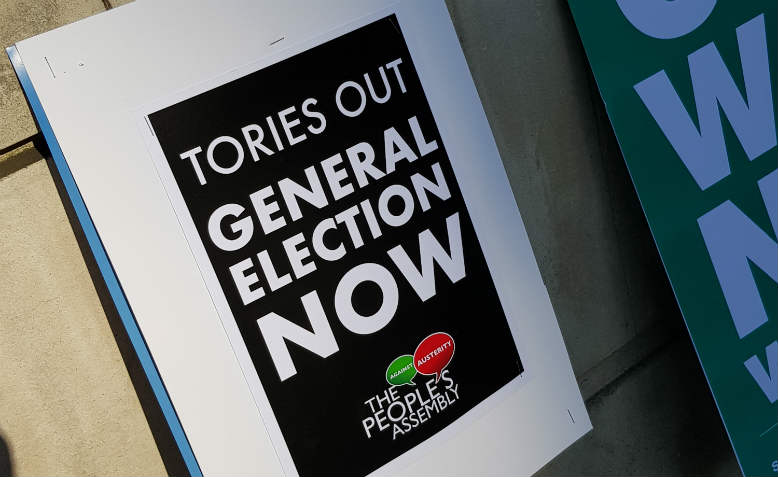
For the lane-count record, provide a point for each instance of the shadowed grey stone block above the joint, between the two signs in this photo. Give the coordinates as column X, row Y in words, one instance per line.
column 585, row 224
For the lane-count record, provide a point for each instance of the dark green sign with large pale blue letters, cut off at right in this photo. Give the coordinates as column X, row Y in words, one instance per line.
column 690, row 88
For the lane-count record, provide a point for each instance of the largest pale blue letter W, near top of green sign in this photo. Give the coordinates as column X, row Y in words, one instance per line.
column 704, row 152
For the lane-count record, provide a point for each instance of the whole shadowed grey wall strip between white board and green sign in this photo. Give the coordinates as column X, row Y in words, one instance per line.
column 648, row 399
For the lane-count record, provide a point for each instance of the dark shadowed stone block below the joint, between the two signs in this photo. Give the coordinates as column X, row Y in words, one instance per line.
column 658, row 418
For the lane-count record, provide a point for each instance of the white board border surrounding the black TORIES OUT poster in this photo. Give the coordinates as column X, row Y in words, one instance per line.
column 137, row 224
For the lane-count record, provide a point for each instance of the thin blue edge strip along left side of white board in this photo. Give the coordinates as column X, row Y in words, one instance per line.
column 106, row 269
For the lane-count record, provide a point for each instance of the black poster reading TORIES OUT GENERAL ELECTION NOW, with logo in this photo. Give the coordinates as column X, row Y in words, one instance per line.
column 325, row 200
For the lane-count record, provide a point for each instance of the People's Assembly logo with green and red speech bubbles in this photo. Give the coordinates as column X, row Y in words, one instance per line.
column 402, row 413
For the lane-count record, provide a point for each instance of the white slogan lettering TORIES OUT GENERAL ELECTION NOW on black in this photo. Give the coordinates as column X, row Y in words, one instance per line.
column 350, row 199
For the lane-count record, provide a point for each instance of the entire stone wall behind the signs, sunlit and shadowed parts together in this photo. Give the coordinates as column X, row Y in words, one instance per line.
column 649, row 402
